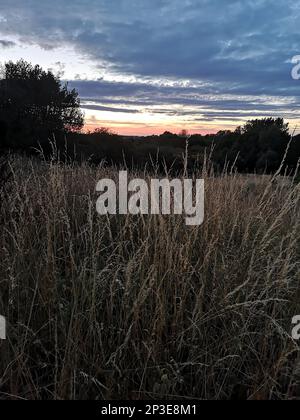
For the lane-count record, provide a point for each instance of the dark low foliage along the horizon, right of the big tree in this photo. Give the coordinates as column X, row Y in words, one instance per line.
column 260, row 146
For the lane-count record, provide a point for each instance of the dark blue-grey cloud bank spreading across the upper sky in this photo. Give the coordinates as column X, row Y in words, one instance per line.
column 240, row 47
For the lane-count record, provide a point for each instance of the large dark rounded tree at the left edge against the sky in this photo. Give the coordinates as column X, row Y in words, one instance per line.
column 34, row 105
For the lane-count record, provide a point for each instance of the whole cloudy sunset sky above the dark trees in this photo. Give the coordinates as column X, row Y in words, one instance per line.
column 143, row 67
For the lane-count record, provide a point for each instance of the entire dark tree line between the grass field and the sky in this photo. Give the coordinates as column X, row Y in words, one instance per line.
column 36, row 106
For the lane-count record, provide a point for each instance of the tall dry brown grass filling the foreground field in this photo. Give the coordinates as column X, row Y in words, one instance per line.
column 144, row 307
